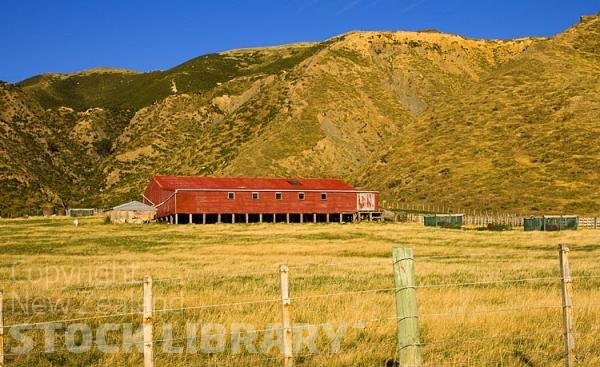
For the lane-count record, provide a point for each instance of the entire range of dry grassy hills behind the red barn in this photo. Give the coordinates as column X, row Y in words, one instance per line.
column 423, row 117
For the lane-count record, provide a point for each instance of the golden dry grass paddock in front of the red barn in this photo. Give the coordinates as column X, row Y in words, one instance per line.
column 511, row 323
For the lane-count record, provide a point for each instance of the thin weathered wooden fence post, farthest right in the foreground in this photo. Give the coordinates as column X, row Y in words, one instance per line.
column 567, row 287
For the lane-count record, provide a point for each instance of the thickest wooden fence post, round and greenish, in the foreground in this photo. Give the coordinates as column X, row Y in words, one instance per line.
column 406, row 308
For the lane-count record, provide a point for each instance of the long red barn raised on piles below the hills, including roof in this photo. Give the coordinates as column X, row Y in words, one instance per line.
column 187, row 199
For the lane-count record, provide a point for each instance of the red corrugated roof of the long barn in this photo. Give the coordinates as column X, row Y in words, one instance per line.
column 226, row 183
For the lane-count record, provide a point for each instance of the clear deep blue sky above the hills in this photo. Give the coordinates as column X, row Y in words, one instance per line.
column 72, row 35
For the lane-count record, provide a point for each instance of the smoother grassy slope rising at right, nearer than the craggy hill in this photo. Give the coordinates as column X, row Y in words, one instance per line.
column 526, row 136
